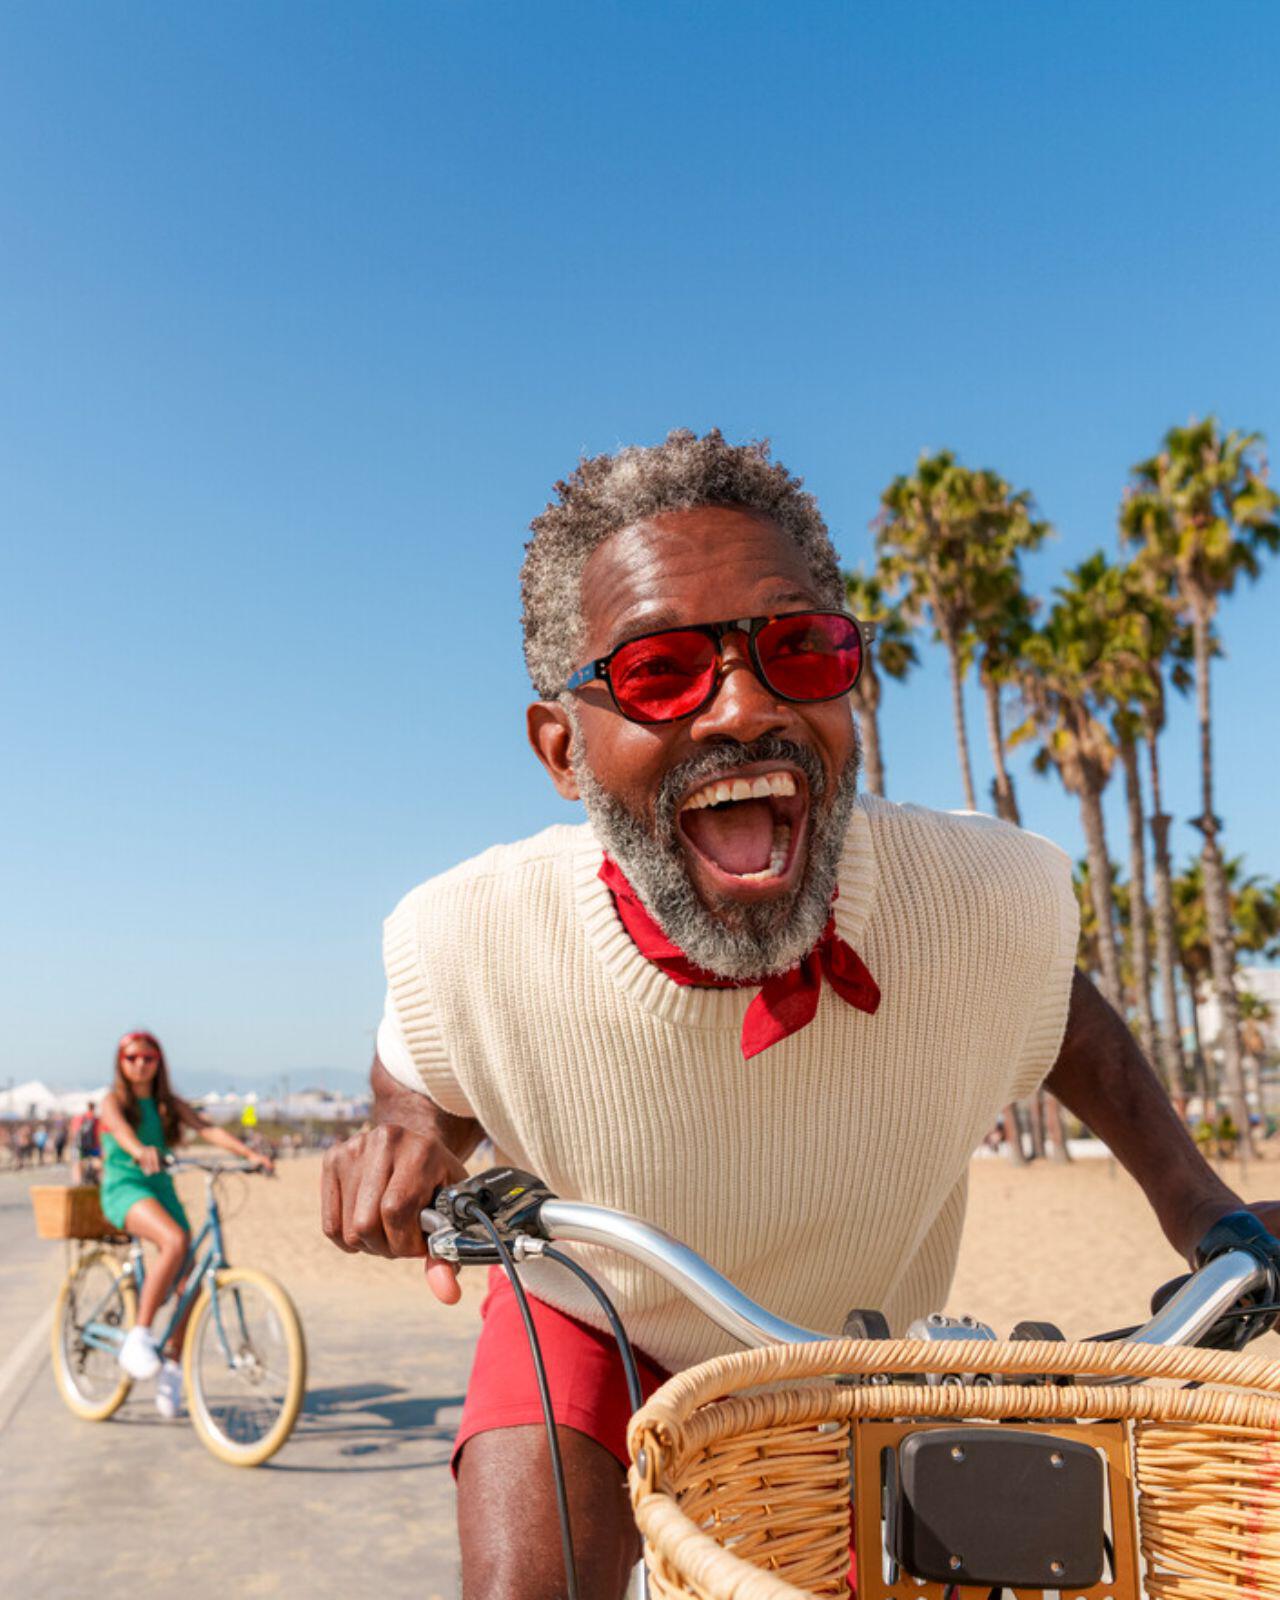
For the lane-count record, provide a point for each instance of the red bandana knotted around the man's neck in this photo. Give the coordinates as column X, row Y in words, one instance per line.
column 786, row 1002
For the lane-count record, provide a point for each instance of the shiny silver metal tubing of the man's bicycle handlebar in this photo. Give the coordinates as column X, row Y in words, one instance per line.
column 1190, row 1314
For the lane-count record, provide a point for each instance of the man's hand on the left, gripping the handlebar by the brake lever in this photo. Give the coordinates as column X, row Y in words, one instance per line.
column 375, row 1185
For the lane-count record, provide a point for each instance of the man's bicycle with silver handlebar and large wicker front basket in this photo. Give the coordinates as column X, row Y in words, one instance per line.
column 951, row 1462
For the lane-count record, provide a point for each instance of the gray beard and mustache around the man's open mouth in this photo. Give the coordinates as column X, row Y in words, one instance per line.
column 735, row 942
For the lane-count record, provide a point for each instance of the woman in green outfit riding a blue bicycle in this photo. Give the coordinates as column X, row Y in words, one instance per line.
column 140, row 1122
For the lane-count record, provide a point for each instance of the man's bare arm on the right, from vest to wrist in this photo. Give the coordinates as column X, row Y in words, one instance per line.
column 1106, row 1081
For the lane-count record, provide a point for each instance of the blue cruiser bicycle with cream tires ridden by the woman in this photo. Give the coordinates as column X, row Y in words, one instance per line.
column 244, row 1356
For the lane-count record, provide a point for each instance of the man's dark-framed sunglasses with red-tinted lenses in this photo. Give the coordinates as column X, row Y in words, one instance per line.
column 802, row 657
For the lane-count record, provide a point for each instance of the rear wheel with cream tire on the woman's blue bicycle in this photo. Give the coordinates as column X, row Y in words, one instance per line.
column 89, row 1377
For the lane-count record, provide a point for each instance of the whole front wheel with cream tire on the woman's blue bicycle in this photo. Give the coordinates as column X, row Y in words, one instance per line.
column 246, row 1367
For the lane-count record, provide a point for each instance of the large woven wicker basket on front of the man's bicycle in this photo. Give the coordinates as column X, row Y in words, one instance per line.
column 742, row 1468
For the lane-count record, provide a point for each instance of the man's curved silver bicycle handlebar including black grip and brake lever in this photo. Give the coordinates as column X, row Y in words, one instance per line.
column 530, row 1217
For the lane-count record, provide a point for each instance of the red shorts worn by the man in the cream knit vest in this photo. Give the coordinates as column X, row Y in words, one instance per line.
column 585, row 1375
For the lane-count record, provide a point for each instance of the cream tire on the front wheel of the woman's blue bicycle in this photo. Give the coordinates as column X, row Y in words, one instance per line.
column 206, row 1414
